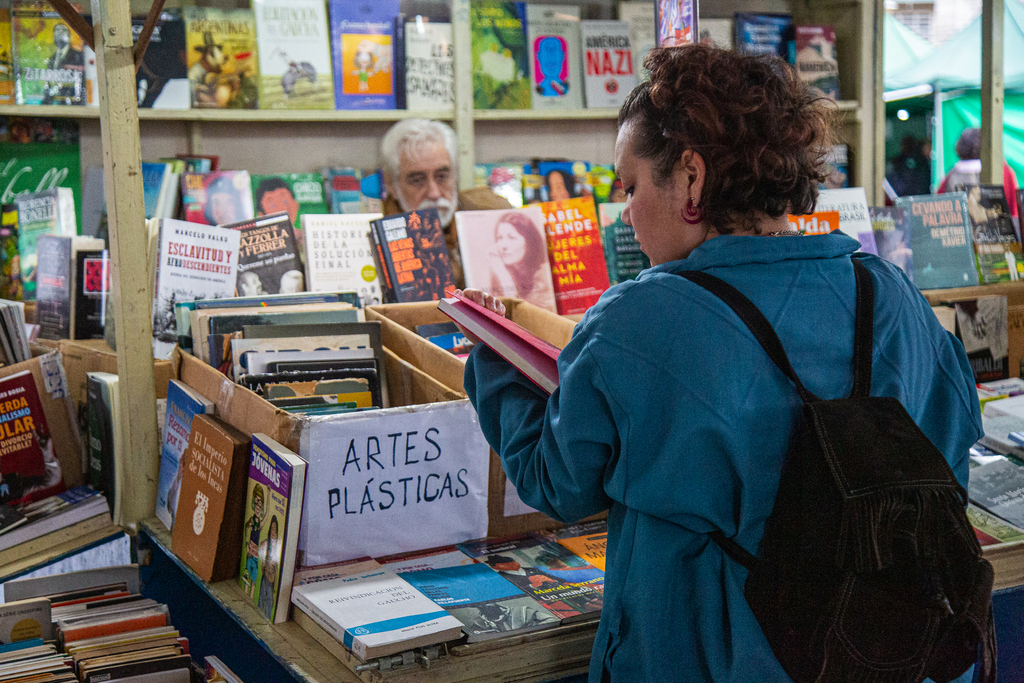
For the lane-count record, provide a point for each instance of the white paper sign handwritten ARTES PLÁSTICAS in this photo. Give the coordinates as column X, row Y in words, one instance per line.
column 394, row 481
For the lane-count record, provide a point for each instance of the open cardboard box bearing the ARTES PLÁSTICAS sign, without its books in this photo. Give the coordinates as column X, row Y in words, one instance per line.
column 400, row 479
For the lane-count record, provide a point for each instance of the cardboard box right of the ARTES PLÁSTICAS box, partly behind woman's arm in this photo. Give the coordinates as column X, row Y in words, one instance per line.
column 506, row 514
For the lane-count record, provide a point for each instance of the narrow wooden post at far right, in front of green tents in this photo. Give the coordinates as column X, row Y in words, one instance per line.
column 992, row 92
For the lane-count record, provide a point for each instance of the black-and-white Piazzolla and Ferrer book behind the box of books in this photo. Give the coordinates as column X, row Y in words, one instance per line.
column 269, row 257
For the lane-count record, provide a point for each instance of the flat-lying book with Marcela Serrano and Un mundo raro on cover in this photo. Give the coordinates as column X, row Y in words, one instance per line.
column 571, row 588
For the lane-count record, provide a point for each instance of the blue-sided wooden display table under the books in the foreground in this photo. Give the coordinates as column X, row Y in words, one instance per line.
column 220, row 620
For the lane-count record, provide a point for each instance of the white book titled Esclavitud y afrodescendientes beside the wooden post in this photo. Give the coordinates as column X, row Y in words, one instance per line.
column 194, row 263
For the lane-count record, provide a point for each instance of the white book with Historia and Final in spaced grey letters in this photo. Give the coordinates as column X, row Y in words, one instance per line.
column 340, row 254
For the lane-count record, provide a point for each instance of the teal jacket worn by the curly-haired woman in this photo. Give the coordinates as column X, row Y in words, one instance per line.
column 672, row 417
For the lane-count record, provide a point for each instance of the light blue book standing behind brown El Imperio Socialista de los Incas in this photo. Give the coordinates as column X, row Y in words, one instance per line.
column 183, row 405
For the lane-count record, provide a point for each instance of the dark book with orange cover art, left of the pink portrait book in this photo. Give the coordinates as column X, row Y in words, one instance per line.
column 414, row 257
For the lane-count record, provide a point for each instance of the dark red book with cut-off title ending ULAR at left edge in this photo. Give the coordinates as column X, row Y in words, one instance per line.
column 24, row 434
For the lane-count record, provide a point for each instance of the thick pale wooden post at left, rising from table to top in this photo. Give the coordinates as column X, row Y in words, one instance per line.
column 132, row 294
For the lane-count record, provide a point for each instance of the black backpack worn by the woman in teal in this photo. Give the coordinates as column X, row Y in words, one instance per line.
column 869, row 571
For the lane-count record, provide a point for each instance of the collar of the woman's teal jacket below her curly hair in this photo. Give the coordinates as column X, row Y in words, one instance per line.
column 731, row 250
